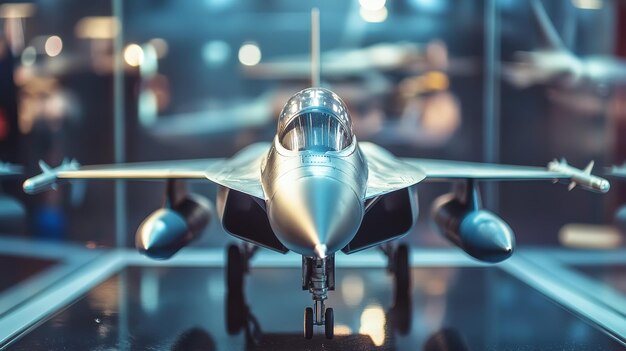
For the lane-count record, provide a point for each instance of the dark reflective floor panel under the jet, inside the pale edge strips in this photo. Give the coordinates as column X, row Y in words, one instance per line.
column 456, row 305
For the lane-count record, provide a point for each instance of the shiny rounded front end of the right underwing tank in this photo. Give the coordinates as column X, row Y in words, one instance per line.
column 486, row 237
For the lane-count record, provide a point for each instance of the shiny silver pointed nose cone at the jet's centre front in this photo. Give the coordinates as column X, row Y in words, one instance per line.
column 315, row 216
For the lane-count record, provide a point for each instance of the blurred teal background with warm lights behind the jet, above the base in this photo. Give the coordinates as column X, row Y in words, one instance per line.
column 518, row 82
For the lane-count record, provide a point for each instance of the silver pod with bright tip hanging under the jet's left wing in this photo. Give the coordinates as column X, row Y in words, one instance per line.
column 168, row 229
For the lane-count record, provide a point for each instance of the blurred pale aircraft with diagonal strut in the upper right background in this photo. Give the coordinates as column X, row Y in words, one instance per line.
column 558, row 64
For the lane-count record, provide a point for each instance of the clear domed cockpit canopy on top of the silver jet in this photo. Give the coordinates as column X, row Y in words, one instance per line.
column 315, row 120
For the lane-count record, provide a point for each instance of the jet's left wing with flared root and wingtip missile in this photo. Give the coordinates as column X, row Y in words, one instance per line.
column 241, row 172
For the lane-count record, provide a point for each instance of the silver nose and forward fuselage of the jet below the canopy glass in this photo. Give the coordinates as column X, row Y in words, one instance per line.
column 315, row 201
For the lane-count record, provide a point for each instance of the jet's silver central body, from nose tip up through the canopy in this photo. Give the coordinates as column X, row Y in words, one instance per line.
column 314, row 198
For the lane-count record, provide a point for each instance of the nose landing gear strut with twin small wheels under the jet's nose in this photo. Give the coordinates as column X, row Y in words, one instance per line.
column 318, row 277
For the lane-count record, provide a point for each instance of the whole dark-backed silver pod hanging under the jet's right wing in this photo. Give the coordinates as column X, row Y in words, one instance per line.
column 479, row 232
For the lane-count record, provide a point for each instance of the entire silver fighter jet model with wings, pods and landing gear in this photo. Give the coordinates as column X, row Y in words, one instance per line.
column 314, row 190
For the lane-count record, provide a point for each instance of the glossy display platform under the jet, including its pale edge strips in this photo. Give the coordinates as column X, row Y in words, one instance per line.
column 122, row 301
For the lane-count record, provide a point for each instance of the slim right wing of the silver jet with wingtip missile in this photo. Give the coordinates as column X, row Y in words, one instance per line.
column 444, row 170
